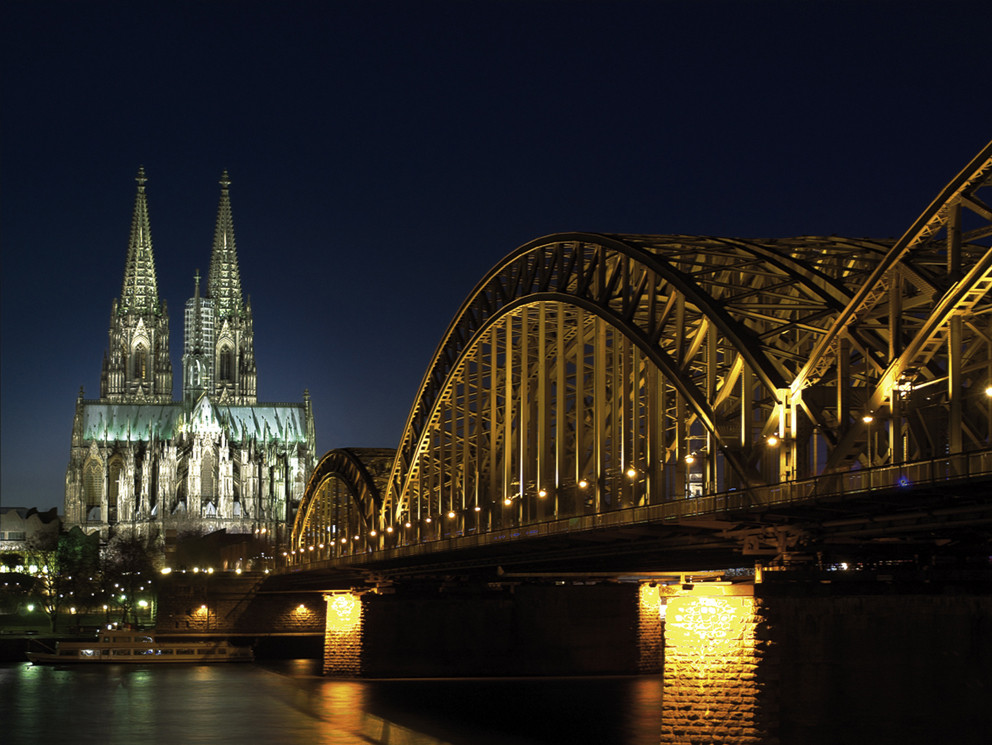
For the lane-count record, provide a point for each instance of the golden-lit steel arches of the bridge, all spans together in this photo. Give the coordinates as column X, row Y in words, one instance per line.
column 592, row 373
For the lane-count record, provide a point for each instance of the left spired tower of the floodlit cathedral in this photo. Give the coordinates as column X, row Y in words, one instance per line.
column 136, row 367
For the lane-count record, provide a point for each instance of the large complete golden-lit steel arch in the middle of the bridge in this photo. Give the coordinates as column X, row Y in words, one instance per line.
column 663, row 360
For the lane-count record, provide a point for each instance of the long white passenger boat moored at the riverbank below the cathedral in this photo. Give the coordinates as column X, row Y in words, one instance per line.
column 121, row 646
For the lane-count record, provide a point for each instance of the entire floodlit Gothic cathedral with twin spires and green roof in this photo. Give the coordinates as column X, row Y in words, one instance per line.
column 214, row 460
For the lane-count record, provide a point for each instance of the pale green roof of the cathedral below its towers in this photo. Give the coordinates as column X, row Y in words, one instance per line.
column 143, row 422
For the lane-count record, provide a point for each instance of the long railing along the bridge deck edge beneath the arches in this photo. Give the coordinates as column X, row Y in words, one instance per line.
column 893, row 478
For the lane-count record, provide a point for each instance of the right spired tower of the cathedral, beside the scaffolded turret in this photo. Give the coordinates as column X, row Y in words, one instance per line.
column 234, row 376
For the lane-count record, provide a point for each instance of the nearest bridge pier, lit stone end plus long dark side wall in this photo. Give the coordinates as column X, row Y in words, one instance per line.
column 805, row 658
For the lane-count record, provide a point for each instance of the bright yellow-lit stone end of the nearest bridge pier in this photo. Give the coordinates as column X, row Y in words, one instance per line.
column 716, row 668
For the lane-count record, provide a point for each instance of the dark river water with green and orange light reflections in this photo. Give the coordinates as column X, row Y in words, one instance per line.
column 288, row 702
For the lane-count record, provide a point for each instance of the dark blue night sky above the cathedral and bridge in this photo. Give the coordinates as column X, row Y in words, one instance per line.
column 384, row 156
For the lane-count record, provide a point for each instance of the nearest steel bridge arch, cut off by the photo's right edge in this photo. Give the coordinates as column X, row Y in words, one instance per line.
column 930, row 390
